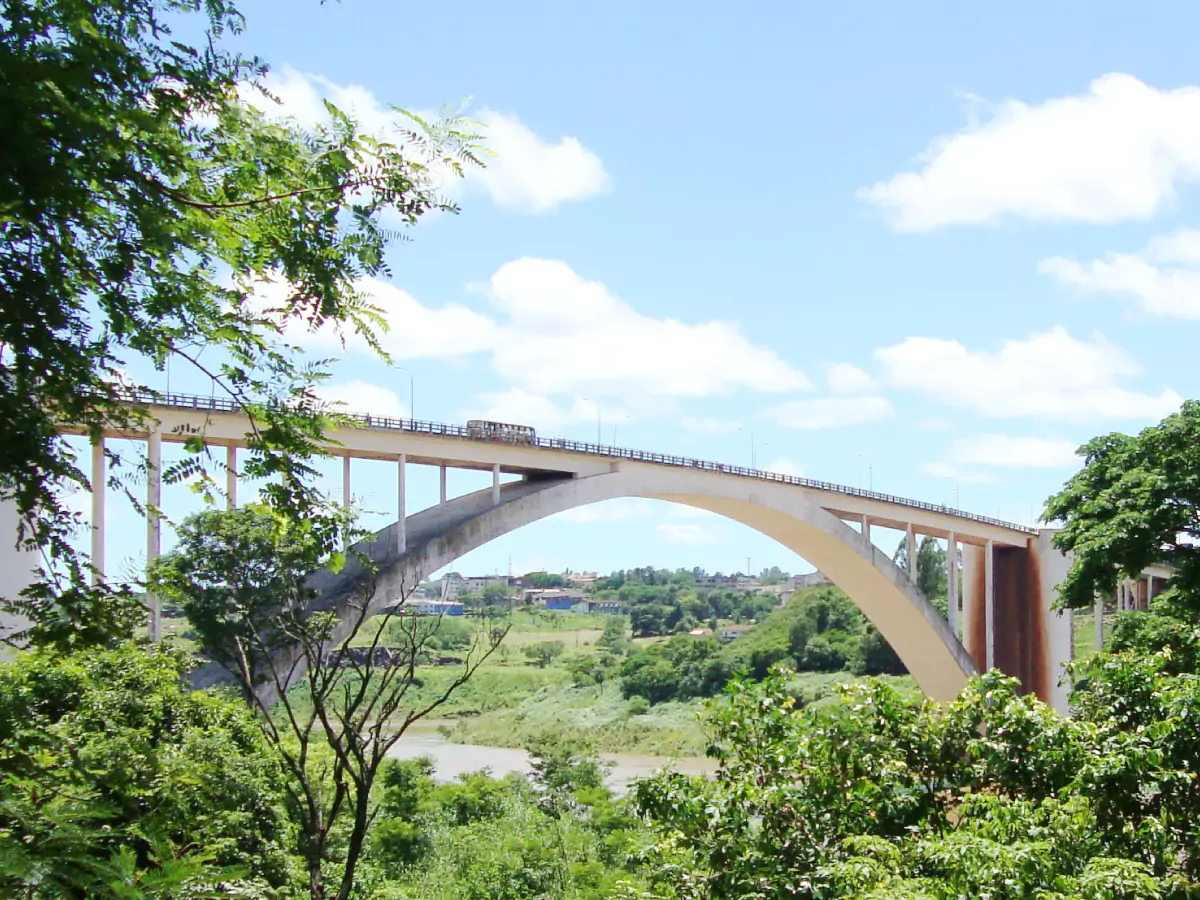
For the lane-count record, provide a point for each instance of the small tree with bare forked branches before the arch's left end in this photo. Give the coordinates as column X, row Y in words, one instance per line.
column 243, row 579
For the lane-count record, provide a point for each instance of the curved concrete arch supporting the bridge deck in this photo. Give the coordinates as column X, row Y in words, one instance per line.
column 883, row 591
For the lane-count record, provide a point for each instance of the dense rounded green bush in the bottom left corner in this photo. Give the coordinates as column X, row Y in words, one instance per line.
column 112, row 771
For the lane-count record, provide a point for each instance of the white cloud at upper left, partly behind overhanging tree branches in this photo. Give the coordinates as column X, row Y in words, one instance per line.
column 523, row 171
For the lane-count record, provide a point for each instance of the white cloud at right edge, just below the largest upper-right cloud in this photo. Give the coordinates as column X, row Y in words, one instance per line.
column 1165, row 278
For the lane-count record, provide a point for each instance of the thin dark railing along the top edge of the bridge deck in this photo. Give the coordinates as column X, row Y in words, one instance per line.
column 224, row 405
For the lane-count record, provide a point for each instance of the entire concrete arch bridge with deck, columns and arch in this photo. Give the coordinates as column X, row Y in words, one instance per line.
column 1003, row 619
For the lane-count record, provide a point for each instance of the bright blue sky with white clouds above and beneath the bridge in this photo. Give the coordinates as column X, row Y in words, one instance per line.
column 927, row 247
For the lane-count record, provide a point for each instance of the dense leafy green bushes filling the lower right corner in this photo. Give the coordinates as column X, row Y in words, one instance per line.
column 991, row 796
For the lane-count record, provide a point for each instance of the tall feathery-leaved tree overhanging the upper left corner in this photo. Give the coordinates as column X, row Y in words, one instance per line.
column 147, row 199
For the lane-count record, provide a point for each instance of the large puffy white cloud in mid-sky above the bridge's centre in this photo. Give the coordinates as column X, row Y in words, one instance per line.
column 566, row 335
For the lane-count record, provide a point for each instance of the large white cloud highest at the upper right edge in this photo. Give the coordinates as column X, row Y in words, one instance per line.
column 1111, row 154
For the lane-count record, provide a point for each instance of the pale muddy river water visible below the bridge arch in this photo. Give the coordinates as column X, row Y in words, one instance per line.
column 452, row 760
